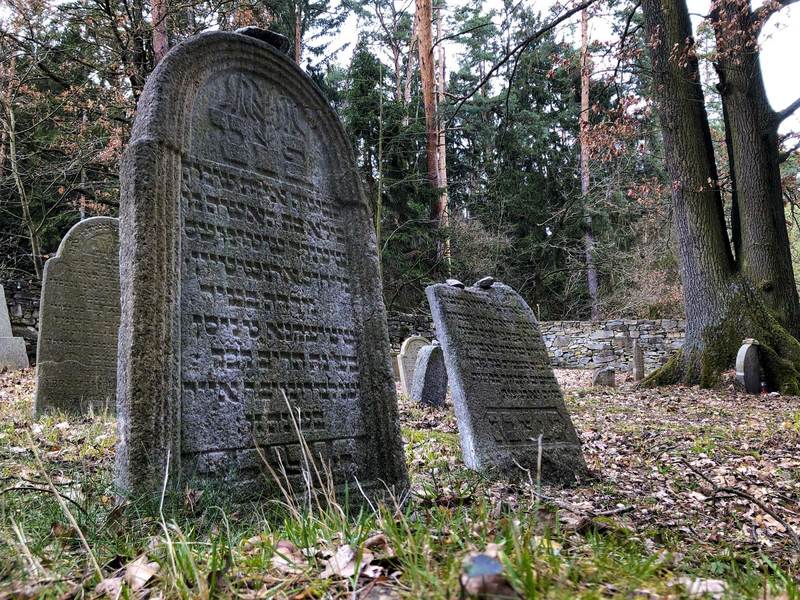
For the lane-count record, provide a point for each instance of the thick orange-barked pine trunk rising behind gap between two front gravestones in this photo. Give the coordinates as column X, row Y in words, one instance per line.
column 424, row 36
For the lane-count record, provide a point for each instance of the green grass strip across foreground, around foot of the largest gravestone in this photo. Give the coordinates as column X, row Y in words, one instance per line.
column 207, row 548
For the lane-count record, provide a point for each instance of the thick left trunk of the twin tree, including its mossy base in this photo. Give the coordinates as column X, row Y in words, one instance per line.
column 722, row 307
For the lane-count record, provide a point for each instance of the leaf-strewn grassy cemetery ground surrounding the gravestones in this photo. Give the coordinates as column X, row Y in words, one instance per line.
column 696, row 492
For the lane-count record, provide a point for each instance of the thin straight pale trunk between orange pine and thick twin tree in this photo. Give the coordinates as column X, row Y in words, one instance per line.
column 588, row 235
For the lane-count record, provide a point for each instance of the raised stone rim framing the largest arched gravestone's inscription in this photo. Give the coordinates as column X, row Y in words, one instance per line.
column 148, row 372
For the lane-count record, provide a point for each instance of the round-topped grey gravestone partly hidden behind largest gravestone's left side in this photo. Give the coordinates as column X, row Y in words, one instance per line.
column 76, row 357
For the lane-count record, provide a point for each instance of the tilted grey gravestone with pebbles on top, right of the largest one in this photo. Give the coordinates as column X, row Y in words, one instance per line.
column 505, row 394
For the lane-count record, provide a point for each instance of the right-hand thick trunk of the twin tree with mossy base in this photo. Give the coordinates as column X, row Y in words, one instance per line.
column 765, row 256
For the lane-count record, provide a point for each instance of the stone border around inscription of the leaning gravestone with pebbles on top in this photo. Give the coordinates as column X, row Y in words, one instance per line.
column 561, row 462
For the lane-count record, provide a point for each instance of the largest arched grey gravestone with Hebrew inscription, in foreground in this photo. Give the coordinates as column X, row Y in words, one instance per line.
column 249, row 270
